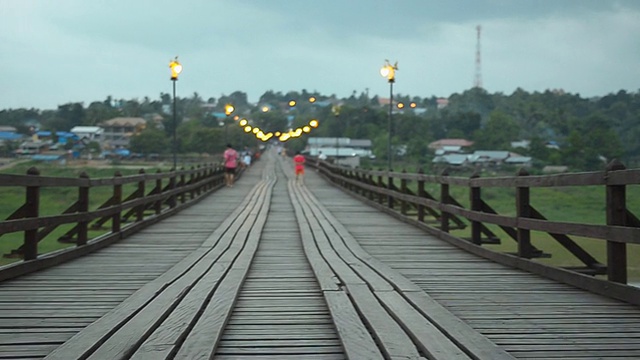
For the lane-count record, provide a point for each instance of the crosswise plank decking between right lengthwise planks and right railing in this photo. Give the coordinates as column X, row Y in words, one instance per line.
column 529, row 316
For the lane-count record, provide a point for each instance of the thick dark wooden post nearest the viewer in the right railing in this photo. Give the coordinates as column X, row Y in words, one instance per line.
column 616, row 216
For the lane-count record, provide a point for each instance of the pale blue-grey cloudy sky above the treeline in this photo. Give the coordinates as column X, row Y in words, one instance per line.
column 59, row 51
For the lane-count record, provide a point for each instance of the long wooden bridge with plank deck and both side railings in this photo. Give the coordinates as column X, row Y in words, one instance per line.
column 276, row 269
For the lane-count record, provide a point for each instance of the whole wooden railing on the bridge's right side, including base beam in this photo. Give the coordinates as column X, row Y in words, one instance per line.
column 404, row 195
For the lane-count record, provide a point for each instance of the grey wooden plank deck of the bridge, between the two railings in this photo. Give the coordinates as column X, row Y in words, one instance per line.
column 273, row 269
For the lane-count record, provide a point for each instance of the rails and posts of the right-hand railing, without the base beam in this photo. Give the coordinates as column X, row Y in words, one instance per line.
column 620, row 229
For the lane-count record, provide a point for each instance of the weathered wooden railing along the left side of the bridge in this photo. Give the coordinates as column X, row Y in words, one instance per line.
column 153, row 197
